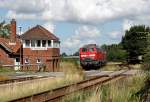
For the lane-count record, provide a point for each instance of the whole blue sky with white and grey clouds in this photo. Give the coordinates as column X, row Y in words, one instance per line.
column 78, row 22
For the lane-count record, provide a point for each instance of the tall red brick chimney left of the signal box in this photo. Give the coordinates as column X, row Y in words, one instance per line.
column 13, row 31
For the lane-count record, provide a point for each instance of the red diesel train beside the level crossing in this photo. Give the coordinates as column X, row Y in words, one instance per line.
column 92, row 56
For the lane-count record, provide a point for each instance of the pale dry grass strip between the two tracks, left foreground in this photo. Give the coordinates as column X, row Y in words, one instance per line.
column 72, row 74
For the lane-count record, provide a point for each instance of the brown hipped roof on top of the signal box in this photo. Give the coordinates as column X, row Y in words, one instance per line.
column 38, row 33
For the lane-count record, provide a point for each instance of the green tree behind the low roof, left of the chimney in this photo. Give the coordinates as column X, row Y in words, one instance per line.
column 4, row 29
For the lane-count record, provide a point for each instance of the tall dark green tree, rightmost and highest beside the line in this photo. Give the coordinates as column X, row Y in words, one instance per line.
column 134, row 42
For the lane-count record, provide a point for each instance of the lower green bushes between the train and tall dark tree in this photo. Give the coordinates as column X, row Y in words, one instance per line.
column 114, row 52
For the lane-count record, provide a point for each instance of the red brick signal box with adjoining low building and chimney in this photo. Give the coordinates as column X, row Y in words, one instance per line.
column 36, row 49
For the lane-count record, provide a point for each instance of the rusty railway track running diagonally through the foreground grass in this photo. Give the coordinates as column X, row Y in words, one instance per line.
column 56, row 94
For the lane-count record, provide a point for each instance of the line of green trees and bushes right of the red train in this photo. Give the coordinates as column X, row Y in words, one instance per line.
column 132, row 47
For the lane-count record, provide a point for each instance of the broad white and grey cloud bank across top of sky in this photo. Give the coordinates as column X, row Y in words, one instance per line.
column 83, row 11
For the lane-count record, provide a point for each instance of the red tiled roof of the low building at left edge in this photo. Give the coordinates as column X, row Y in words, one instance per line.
column 9, row 46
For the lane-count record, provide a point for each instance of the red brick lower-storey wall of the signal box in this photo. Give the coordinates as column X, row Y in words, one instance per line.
column 50, row 58
